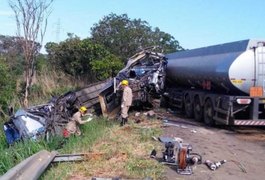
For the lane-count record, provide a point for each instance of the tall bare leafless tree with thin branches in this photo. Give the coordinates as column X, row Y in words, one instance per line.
column 31, row 20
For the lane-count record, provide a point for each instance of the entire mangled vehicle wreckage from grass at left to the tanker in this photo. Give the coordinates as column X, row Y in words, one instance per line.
column 145, row 72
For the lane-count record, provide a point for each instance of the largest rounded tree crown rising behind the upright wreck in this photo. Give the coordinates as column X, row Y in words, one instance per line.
column 123, row 36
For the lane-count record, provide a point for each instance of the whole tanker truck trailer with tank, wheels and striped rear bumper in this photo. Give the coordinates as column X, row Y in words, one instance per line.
column 220, row 84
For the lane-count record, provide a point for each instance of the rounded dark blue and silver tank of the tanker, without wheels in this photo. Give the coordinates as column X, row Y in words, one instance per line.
column 232, row 68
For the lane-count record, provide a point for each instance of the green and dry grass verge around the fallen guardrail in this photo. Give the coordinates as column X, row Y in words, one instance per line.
column 113, row 151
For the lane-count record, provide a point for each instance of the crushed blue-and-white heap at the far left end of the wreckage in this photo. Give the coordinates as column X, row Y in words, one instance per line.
column 38, row 121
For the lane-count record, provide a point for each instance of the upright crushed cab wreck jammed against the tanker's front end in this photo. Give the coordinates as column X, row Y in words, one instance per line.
column 145, row 72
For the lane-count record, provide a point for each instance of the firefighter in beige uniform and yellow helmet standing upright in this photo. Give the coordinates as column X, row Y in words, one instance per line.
column 126, row 101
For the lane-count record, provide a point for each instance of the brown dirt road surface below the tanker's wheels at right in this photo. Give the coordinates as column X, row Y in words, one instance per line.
column 242, row 147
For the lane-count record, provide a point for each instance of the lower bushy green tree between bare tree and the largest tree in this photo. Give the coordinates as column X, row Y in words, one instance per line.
column 83, row 58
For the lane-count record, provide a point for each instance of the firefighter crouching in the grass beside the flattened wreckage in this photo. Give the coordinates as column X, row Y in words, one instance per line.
column 72, row 126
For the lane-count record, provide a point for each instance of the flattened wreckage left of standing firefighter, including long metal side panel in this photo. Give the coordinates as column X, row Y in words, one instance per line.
column 50, row 119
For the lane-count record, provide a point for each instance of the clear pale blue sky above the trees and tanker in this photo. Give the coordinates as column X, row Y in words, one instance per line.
column 193, row 23
